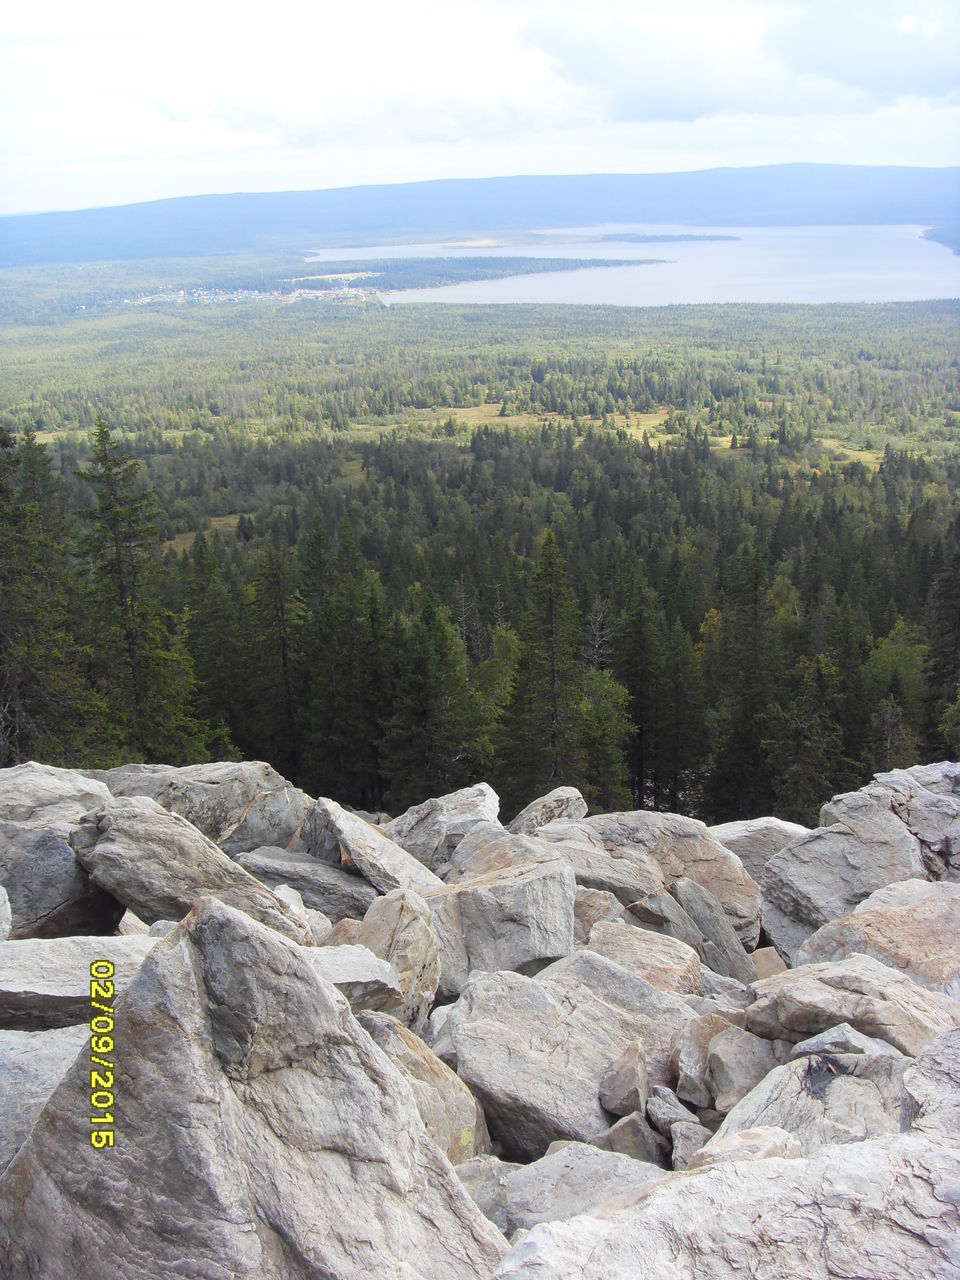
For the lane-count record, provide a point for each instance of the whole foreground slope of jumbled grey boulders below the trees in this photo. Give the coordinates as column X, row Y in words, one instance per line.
column 575, row 1046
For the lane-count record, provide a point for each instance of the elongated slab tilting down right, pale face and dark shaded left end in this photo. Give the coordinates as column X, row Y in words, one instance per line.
column 333, row 836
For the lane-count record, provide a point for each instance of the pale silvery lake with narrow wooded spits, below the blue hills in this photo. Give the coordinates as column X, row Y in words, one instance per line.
column 764, row 264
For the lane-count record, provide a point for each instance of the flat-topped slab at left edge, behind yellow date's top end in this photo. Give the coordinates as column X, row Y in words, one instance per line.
column 45, row 982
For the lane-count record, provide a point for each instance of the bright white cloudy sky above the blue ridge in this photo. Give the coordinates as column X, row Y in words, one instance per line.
column 118, row 103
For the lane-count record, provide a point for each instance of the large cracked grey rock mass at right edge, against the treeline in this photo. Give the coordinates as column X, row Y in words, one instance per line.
column 903, row 826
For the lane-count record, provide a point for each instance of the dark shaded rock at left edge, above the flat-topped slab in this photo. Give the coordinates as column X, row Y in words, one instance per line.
column 49, row 893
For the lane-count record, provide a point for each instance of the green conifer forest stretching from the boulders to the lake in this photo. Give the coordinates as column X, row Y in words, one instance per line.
column 703, row 560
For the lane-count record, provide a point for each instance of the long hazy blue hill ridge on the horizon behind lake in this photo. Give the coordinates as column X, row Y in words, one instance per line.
column 200, row 226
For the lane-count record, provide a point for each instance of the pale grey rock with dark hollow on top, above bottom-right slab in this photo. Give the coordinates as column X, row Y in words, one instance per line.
column 825, row 1100
